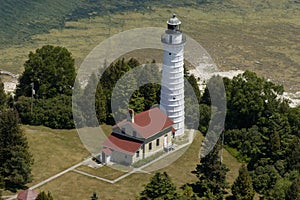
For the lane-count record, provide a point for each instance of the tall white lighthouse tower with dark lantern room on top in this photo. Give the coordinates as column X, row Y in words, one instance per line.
column 172, row 91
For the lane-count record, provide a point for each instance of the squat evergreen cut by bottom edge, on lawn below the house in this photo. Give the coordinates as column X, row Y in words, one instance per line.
column 160, row 187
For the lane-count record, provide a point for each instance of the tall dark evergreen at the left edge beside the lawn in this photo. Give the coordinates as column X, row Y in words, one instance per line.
column 15, row 160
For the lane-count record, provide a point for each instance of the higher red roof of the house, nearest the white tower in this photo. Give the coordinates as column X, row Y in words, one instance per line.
column 149, row 122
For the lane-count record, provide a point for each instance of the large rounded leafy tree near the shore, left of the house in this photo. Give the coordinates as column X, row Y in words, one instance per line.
column 49, row 71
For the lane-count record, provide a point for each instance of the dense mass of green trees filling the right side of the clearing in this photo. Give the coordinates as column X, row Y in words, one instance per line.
column 265, row 132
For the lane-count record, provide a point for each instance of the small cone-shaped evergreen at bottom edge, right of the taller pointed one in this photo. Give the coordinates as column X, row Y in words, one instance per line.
column 242, row 188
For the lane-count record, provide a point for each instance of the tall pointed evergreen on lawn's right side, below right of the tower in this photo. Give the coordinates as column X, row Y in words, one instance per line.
column 212, row 176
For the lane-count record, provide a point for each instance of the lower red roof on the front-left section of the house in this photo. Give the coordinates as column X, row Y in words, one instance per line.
column 121, row 143
